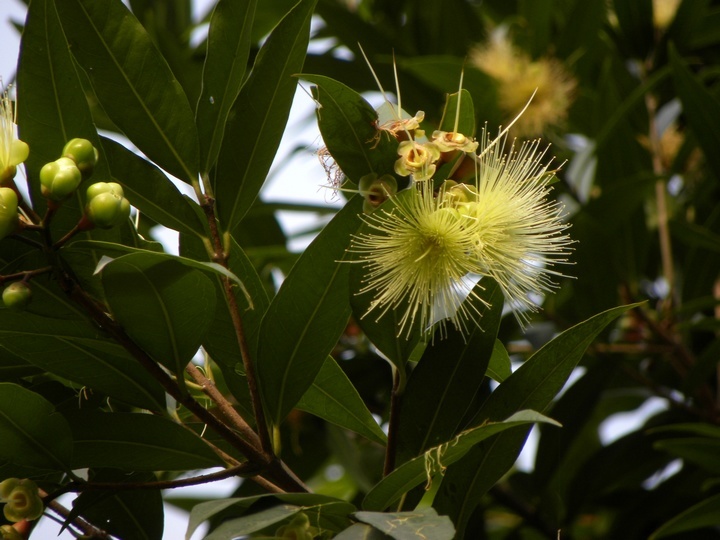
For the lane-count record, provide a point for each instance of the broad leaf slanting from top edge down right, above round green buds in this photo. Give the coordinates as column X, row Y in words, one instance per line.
column 133, row 82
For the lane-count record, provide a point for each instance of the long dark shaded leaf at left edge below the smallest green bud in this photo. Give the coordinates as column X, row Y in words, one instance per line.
column 82, row 355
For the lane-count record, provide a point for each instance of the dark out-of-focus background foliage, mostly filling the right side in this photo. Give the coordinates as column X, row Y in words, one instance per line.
column 628, row 93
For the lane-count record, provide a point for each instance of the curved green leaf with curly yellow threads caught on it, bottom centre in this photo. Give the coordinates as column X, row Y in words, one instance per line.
column 421, row 469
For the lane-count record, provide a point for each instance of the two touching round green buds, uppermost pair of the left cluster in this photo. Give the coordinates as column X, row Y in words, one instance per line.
column 60, row 178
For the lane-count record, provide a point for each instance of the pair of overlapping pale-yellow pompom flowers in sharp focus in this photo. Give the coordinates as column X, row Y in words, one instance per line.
column 422, row 253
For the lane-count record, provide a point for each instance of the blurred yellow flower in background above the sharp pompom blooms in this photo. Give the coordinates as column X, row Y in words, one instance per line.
column 518, row 76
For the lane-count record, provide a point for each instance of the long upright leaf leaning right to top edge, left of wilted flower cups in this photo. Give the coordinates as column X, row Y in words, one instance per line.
column 257, row 120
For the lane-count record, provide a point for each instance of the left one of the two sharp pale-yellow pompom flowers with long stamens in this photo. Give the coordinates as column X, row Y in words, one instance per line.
column 416, row 255
